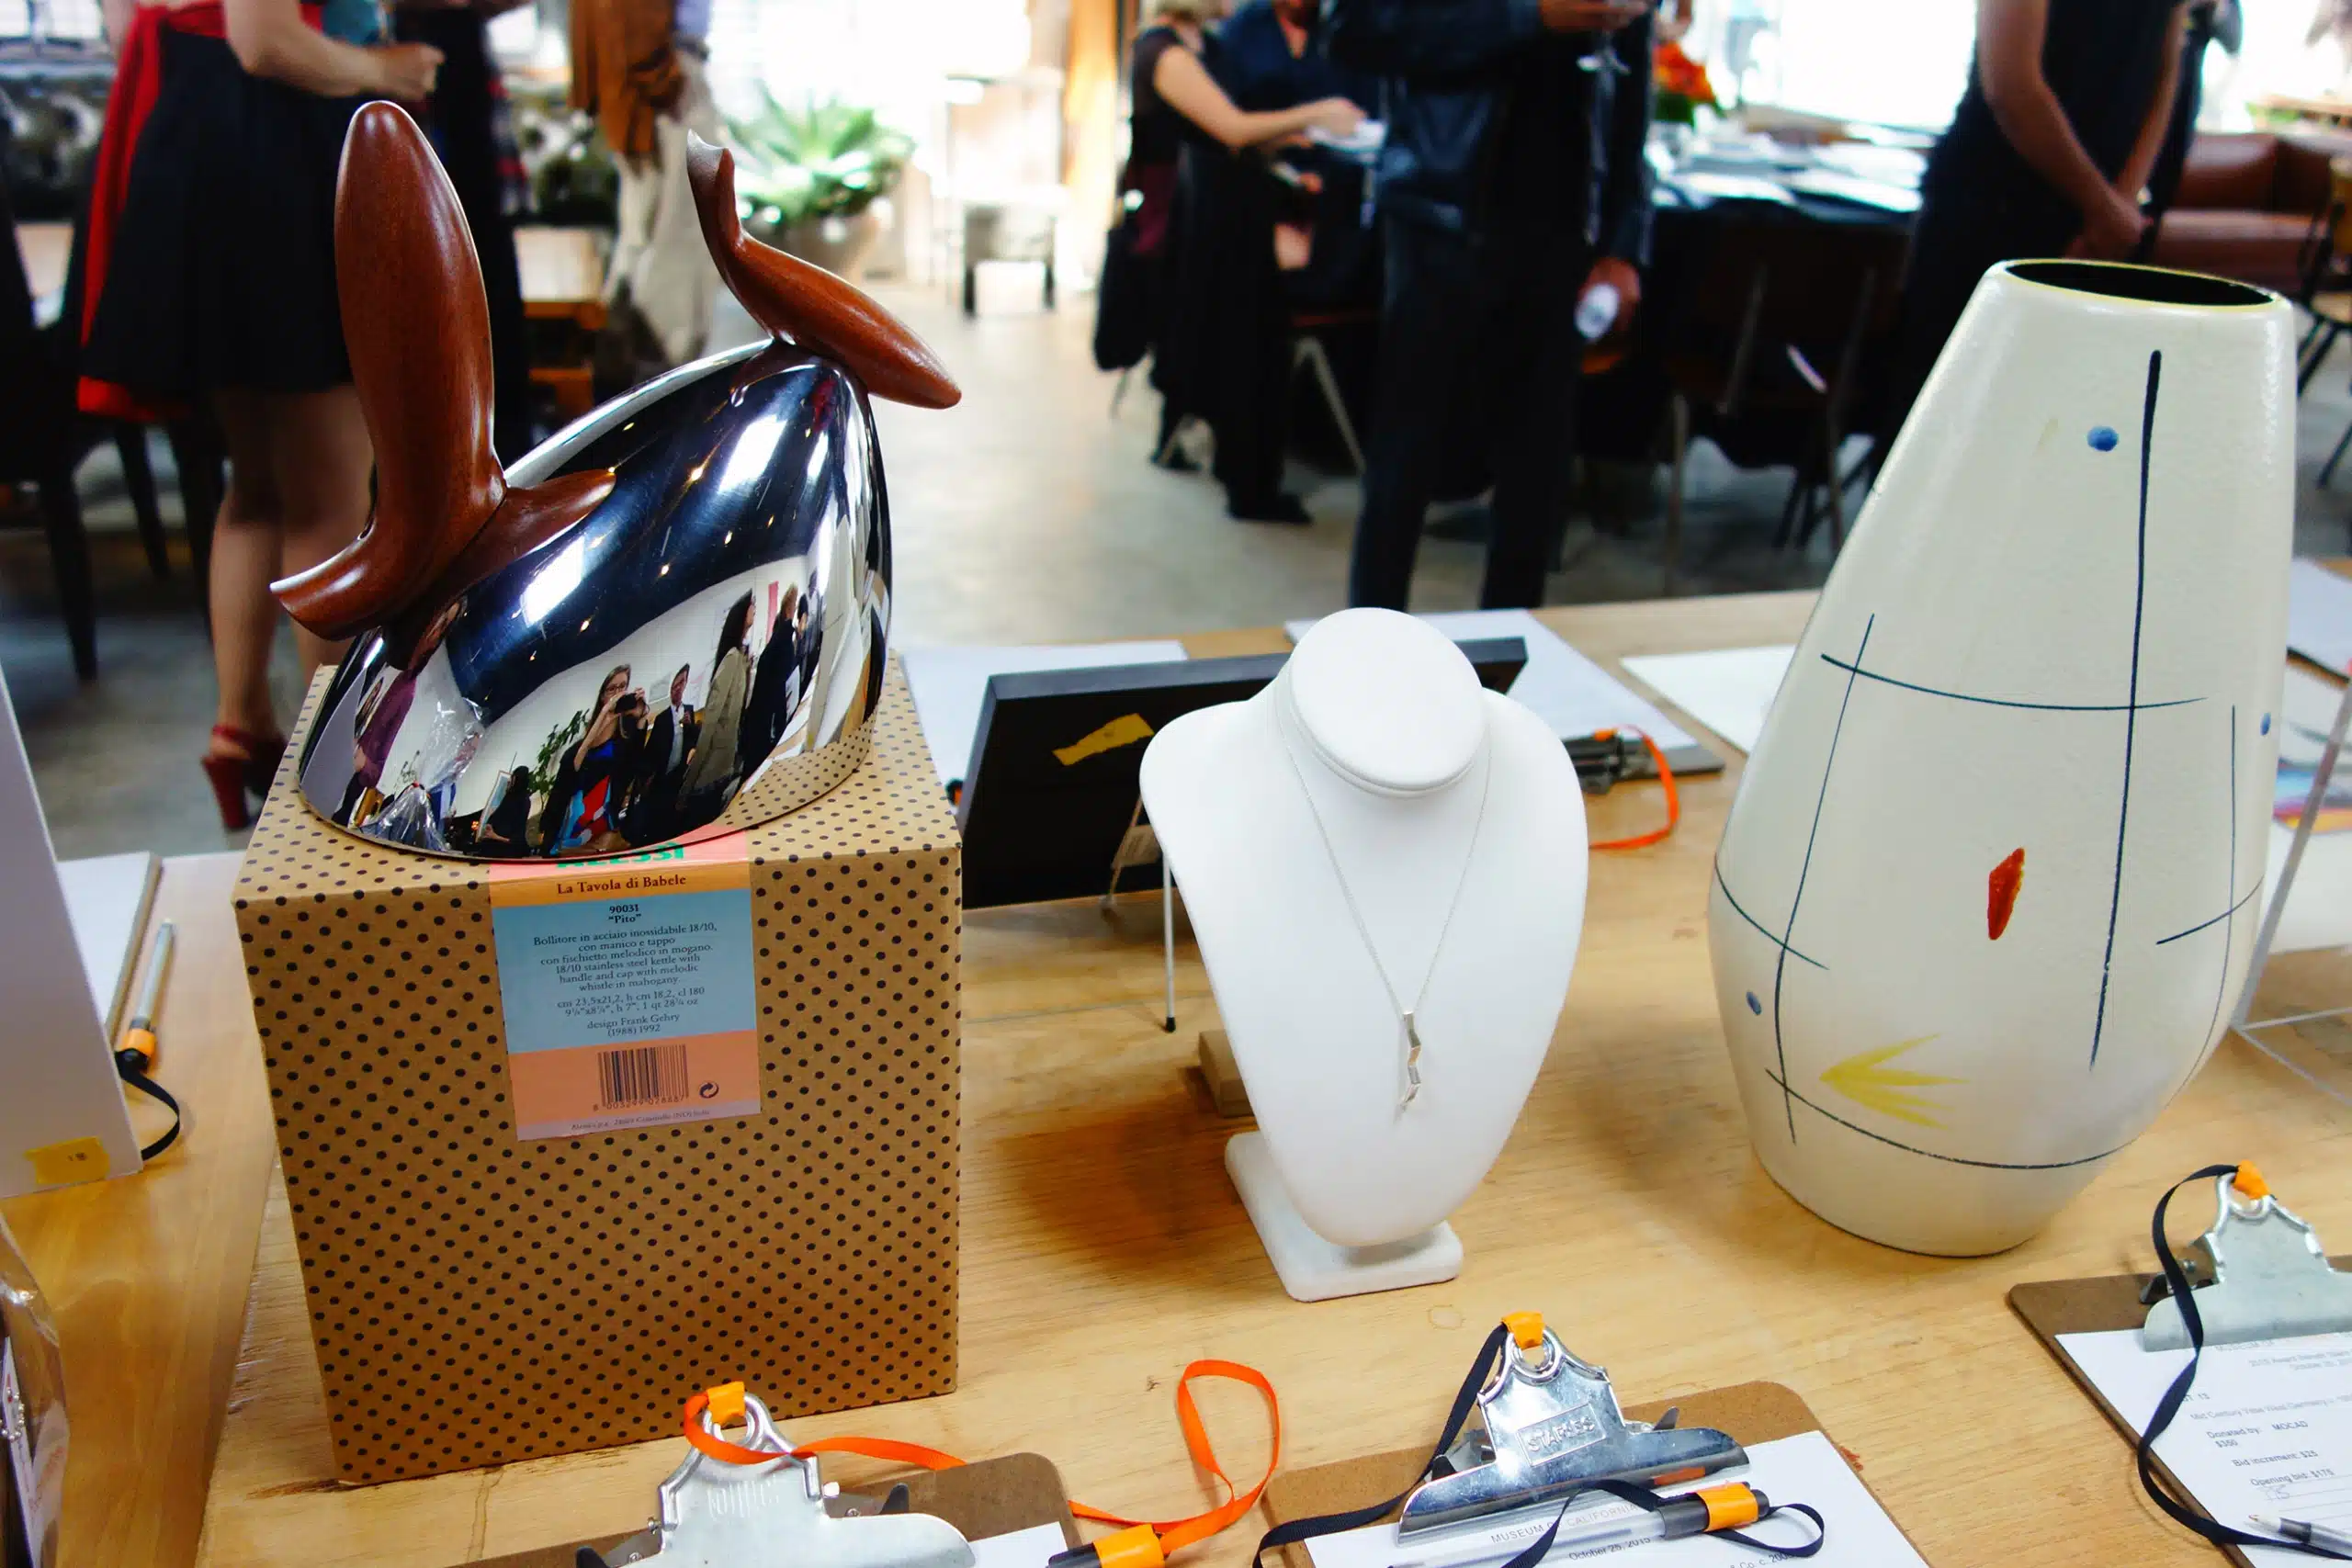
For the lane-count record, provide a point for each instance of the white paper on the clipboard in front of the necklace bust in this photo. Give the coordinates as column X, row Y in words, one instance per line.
column 1803, row 1468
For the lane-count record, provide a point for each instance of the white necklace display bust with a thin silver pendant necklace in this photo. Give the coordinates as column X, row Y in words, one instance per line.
column 1375, row 791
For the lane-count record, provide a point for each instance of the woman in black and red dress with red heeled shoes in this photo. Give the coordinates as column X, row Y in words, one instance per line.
column 213, row 283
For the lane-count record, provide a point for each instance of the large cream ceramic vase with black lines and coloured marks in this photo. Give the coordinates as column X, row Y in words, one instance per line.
column 1993, row 876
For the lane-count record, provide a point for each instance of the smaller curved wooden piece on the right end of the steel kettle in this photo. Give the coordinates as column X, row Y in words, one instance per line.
column 810, row 304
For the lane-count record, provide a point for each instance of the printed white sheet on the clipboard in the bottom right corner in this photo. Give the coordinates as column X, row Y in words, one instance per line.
column 2266, row 1430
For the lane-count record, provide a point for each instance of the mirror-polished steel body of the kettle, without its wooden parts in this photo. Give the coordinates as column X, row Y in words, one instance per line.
column 707, row 648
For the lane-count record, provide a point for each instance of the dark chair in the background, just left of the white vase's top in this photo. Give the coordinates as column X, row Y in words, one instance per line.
column 1768, row 354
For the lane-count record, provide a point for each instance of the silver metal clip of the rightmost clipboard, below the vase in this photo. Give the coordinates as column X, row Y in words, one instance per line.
column 2271, row 1280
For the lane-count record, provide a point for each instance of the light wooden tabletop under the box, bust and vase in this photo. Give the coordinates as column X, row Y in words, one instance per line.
column 1104, row 1249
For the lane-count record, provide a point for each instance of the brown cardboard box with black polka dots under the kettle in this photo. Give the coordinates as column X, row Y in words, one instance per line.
column 770, row 1202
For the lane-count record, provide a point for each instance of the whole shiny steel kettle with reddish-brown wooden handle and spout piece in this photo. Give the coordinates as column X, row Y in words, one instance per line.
column 667, row 622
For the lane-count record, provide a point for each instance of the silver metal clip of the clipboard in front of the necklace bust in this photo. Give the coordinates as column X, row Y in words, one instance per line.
column 1553, row 1428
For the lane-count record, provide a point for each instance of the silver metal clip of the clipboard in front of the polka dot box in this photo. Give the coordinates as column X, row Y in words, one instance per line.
column 780, row 1515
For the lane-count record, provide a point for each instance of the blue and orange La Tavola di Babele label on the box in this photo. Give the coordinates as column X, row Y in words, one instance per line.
column 629, row 991
